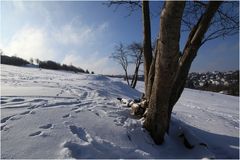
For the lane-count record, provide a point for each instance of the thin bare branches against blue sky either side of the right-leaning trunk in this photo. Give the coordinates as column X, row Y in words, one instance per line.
column 225, row 22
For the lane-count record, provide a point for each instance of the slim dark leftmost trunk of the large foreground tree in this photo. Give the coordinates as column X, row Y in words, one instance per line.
column 147, row 44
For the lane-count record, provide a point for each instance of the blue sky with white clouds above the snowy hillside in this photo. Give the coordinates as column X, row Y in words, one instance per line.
column 84, row 33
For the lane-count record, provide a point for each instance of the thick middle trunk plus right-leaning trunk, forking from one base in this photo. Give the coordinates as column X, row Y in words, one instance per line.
column 171, row 70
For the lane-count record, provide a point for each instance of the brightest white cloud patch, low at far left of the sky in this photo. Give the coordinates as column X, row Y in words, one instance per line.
column 30, row 42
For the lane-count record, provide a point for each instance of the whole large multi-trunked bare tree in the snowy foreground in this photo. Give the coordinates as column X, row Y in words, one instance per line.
column 166, row 73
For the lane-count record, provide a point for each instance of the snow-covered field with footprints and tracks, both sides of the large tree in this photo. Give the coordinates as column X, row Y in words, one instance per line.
column 55, row 114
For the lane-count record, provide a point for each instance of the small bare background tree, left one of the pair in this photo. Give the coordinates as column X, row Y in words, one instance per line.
column 120, row 55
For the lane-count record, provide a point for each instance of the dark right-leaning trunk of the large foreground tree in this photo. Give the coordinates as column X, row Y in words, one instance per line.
column 194, row 42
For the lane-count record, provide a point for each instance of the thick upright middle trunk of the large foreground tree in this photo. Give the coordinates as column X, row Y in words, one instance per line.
column 157, row 120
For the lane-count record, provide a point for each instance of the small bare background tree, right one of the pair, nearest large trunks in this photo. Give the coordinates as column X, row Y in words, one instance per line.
column 136, row 55
